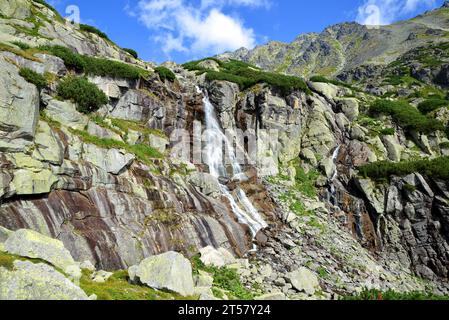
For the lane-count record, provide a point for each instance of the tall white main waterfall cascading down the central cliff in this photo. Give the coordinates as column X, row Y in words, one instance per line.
column 215, row 159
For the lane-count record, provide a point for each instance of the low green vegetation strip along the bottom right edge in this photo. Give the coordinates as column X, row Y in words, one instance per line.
column 393, row 295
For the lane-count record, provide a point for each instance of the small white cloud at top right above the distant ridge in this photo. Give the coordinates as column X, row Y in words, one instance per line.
column 381, row 12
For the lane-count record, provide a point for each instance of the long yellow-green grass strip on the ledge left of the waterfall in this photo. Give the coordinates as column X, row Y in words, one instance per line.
column 144, row 153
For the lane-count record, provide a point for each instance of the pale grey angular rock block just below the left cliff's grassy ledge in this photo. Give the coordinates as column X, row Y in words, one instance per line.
column 111, row 160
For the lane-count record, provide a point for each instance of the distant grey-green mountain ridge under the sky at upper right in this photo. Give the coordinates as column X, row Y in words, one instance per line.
column 345, row 46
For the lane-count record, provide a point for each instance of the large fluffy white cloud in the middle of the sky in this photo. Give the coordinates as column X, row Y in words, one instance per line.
column 204, row 28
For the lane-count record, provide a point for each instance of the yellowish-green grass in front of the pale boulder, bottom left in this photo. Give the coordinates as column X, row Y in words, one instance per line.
column 118, row 288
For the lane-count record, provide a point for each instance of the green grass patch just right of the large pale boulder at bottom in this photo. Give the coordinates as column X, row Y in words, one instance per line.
column 224, row 279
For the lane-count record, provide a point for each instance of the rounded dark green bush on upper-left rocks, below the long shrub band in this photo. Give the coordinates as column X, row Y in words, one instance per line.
column 86, row 95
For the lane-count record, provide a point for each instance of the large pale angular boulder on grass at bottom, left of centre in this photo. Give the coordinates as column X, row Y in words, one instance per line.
column 170, row 271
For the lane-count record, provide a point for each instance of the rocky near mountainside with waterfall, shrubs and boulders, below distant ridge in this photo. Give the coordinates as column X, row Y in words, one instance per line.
column 347, row 191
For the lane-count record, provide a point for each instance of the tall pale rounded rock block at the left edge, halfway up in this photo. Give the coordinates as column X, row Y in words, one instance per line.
column 19, row 104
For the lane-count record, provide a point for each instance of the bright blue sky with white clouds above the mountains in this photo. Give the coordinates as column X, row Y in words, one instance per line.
column 183, row 30
